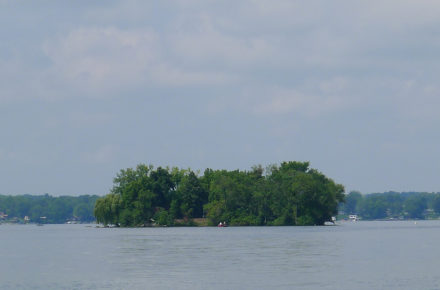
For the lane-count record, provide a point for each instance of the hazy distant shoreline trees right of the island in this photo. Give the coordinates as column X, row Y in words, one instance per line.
column 392, row 205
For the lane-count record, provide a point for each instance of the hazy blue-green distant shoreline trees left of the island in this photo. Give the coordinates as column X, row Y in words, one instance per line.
column 52, row 209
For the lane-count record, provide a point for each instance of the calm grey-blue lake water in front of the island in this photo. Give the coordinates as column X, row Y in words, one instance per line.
column 359, row 255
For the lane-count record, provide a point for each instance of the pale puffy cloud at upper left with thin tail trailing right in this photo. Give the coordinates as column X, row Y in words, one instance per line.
column 100, row 60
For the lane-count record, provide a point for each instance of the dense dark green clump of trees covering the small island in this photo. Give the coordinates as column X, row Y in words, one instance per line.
column 287, row 194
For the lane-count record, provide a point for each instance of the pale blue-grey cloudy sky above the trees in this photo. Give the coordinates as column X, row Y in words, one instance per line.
column 88, row 88
